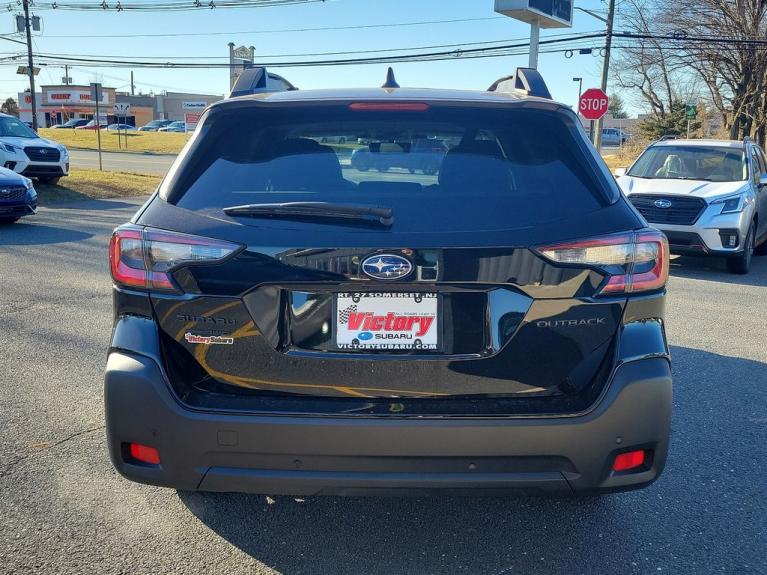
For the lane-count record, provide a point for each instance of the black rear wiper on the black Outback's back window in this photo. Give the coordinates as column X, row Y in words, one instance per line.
column 315, row 210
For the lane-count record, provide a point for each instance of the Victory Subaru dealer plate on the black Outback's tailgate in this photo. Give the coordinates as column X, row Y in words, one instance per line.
column 387, row 321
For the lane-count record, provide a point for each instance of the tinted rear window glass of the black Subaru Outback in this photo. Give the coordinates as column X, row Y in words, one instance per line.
column 446, row 168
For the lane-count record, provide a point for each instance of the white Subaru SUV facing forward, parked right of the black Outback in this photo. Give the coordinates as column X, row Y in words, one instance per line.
column 708, row 196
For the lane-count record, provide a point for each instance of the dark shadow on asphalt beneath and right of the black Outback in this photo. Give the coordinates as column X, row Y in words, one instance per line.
column 713, row 485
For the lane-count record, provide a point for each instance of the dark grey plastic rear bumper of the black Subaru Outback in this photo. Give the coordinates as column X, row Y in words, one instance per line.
column 292, row 455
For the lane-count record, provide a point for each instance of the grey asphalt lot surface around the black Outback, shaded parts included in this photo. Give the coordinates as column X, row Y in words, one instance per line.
column 63, row 508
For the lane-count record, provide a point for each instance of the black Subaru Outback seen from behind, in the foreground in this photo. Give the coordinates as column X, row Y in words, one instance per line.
column 288, row 325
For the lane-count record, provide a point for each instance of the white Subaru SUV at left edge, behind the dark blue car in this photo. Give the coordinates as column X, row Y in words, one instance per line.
column 26, row 153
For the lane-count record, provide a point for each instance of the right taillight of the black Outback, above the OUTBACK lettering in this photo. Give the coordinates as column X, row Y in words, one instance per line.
column 634, row 261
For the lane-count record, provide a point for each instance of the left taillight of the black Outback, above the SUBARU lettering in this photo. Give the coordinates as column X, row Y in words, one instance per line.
column 143, row 258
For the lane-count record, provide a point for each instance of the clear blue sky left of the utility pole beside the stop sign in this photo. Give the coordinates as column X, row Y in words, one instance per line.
column 82, row 27
